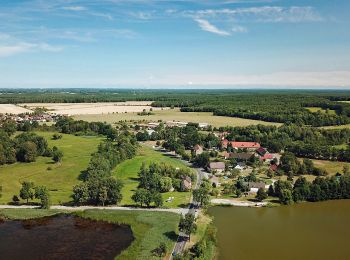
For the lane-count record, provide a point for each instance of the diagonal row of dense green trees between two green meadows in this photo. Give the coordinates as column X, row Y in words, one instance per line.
column 99, row 186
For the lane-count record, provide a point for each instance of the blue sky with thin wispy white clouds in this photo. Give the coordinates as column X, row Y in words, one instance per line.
column 175, row 44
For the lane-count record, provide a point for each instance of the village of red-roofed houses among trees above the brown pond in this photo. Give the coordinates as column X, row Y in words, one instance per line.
column 236, row 170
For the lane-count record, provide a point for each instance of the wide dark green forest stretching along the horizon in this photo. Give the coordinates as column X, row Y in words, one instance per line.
column 283, row 106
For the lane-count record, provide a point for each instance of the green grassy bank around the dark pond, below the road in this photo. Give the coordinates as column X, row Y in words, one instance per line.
column 149, row 228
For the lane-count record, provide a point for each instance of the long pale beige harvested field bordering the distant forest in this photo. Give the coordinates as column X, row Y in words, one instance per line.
column 94, row 108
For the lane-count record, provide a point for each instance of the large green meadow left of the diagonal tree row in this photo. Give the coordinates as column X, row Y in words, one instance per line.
column 61, row 179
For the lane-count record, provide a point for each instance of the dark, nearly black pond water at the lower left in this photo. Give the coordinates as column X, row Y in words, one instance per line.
column 62, row 237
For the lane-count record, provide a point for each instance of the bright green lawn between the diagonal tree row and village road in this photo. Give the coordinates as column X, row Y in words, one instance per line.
column 128, row 170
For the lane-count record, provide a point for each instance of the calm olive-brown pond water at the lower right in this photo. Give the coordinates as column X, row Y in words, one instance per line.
column 303, row 231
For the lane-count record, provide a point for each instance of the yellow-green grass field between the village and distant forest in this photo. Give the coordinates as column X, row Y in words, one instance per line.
column 175, row 114
